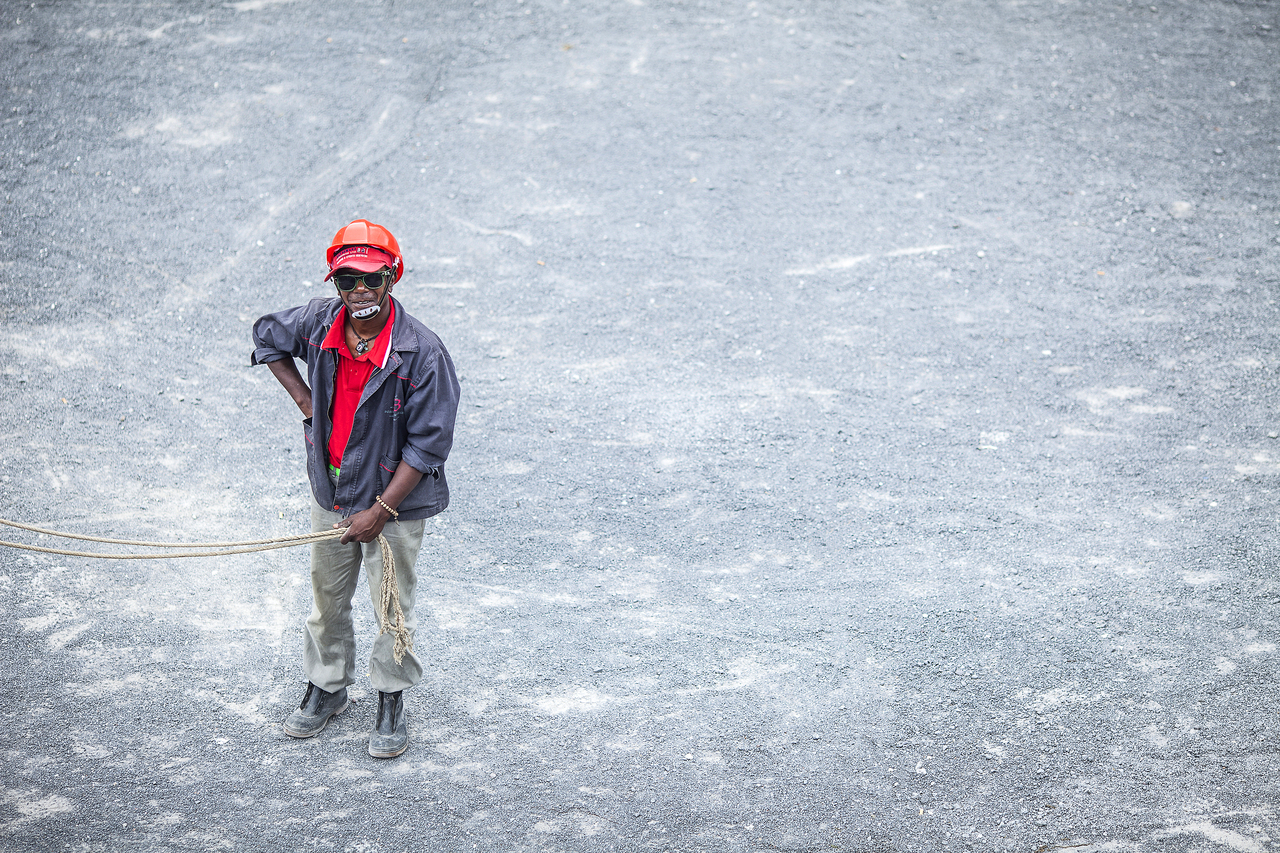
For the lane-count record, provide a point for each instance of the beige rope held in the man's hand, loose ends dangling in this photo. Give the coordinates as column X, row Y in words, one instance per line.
column 391, row 617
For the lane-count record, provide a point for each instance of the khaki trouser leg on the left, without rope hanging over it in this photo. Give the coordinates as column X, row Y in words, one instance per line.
column 330, row 646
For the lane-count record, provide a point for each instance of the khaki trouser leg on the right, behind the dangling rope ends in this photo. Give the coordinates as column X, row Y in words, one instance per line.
column 406, row 541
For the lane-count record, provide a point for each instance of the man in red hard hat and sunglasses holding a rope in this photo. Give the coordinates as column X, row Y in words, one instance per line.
column 380, row 405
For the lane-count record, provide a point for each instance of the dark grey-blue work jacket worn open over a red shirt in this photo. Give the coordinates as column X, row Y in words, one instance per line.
column 406, row 412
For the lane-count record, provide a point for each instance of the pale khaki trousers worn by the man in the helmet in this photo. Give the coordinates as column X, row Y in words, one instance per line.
column 330, row 651
